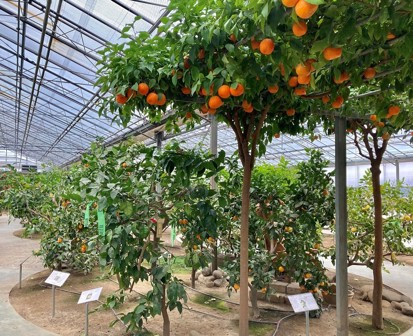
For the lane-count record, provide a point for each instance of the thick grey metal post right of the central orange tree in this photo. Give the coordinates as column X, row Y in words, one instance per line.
column 341, row 227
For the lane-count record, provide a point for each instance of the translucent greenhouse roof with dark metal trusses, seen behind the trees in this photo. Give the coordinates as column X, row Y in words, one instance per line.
column 48, row 101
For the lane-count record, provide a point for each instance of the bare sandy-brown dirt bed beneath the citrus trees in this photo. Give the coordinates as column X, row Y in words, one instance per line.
column 34, row 302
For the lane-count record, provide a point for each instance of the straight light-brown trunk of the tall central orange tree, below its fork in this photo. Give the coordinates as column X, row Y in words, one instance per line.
column 246, row 186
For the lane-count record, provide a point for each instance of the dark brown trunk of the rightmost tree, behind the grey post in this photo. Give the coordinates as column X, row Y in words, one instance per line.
column 377, row 320
